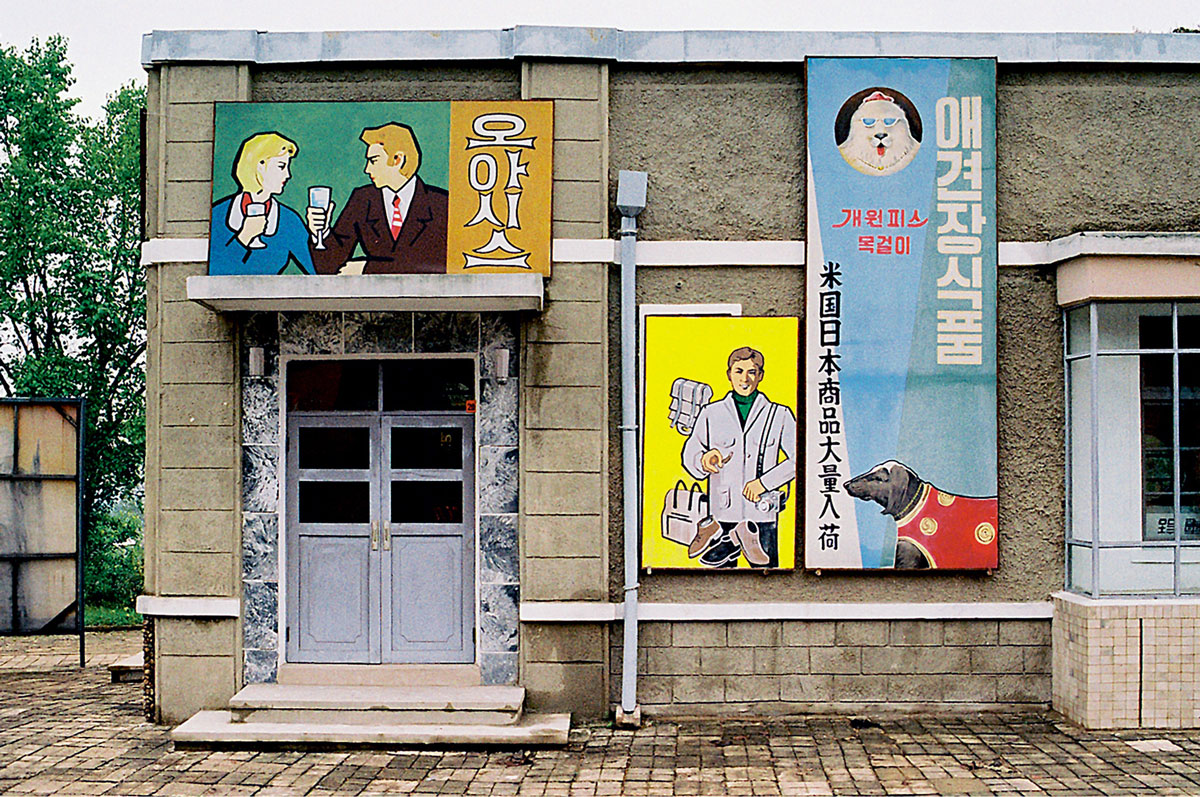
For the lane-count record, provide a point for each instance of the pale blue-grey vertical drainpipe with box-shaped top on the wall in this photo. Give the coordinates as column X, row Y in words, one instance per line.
column 631, row 202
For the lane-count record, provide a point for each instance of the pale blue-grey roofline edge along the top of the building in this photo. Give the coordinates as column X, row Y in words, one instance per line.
column 652, row 47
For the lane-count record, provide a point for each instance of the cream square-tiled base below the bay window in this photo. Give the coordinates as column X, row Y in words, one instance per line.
column 1126, row 663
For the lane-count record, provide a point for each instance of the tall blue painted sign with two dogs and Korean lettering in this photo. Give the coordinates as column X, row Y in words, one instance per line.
column 901, row 367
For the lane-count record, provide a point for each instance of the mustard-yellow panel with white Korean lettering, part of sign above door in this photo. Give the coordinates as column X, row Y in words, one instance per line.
column 501, row 169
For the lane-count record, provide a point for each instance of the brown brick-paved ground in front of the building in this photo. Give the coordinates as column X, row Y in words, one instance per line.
column 64, row 732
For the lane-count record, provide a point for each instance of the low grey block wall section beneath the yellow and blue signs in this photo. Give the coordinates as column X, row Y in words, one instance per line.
column 815, row 666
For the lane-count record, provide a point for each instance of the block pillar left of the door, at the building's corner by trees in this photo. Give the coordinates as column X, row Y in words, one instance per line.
column 193, row 540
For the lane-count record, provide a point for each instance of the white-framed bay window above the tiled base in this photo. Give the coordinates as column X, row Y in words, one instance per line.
column 1133, row 450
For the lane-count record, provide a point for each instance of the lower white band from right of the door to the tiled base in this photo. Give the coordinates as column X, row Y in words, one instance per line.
column 579, row 612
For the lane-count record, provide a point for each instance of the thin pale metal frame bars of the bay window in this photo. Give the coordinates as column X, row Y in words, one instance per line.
column 1093, row 355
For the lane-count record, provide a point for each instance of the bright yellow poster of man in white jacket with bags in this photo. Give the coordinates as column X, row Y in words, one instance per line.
column 719, row 442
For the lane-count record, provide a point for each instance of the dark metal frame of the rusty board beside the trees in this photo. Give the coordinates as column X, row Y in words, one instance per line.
column 16, row 560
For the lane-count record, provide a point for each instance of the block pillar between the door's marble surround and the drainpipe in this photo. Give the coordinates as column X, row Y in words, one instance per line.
column 565, row 408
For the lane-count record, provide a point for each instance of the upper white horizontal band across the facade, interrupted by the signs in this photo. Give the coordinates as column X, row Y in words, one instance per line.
column 695, row 254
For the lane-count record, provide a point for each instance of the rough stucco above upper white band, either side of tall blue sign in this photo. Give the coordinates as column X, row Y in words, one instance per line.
column 725, row 151
